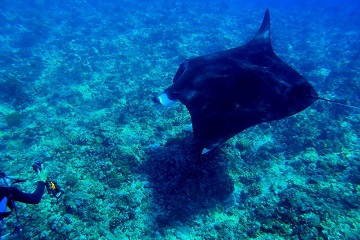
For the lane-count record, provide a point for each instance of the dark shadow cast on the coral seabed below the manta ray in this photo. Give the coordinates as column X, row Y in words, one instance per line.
column 184, row 184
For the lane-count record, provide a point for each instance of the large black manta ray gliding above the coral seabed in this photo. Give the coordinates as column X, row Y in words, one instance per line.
column 232, row 90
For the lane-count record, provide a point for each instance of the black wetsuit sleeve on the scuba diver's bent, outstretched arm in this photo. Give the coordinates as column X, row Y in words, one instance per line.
column 19, row 196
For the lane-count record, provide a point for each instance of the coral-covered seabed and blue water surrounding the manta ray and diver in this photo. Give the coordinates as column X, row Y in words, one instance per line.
column 76, row 82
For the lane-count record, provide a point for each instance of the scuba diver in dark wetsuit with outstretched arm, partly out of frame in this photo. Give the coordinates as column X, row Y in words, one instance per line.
column 9, row 195
